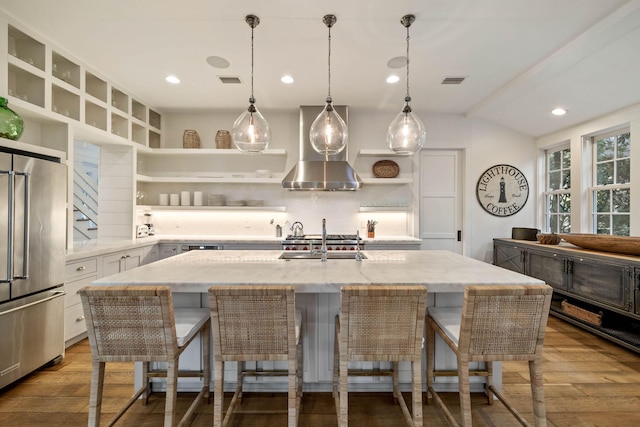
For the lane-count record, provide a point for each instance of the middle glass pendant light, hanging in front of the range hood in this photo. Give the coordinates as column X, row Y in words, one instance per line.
column 328, row 133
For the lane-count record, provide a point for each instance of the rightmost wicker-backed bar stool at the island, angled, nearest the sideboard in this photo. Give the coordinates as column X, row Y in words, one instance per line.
column 496, row 323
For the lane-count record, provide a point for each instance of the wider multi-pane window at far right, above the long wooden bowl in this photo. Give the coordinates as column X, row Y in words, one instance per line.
column 611, row 188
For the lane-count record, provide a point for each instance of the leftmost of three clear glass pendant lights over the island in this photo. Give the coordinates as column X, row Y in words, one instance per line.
column 250, row 132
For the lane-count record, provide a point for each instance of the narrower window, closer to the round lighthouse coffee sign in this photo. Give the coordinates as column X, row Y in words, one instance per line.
column 557, row 190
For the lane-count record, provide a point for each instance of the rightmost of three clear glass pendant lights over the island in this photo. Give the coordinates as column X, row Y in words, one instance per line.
column 406, row 133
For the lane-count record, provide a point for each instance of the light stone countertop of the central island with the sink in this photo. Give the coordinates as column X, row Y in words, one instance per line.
column 195, row 271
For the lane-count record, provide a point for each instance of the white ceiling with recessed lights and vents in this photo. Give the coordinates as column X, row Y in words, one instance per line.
column 521, row 58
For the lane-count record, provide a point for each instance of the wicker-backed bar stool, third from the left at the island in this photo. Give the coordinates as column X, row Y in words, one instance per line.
column 385, row 324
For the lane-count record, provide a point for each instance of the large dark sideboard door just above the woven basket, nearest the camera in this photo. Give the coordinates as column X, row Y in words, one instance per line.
column 601, row 281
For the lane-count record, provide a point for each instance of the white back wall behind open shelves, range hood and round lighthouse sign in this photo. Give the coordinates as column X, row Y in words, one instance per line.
column 484, row 144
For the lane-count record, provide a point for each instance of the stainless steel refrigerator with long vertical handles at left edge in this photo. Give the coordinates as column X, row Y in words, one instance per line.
column 32, row 261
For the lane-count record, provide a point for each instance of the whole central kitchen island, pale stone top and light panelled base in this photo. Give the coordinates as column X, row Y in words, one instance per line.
column 317, row 285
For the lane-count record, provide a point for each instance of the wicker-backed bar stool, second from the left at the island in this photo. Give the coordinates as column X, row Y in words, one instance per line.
column 255, row 323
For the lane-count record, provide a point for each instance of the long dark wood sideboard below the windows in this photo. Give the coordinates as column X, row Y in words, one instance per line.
column 598, row 291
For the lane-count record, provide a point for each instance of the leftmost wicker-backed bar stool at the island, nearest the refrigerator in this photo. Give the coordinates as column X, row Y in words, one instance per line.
column 139, row 324
